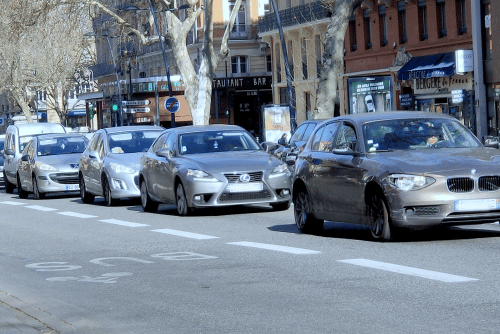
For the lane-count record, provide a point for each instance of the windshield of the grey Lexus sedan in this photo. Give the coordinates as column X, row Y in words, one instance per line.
column 216, row 141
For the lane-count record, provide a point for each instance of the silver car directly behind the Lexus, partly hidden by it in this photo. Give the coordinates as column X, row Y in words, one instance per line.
column 109, row 166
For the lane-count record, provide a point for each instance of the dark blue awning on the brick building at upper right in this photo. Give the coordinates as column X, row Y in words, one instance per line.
column 437, row 65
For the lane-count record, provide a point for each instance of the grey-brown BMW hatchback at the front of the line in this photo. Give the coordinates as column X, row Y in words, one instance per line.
column 393, row 170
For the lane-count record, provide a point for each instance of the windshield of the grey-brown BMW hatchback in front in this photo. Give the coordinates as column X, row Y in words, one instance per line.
column 410, row 134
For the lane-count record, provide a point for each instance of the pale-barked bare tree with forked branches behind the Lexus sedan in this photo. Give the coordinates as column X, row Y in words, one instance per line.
column 198, row 84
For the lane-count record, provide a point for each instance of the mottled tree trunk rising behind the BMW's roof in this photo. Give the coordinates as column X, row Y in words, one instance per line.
column 332, row 66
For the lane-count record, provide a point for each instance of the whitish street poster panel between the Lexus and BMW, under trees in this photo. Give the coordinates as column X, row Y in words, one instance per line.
column 276, row 122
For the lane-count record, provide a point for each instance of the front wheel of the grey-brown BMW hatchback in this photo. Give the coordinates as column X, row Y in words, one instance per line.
column 380, row 224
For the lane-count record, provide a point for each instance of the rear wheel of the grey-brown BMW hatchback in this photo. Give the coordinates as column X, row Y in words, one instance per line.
column 304, row 219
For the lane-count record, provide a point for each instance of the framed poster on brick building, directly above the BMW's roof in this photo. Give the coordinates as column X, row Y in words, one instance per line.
column 370, row 94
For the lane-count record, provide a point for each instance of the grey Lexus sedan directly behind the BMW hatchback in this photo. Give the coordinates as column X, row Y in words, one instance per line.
column 209, row 166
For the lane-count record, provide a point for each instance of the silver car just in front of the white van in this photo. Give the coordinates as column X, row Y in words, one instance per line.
column 49, row 164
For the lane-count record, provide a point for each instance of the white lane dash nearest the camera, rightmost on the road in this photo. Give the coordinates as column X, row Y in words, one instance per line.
column 434, row 275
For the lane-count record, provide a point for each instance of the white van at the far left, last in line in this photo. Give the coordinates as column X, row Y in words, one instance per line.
column 16, row 137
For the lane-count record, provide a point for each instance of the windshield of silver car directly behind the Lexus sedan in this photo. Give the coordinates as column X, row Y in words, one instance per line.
column 132, row 141
